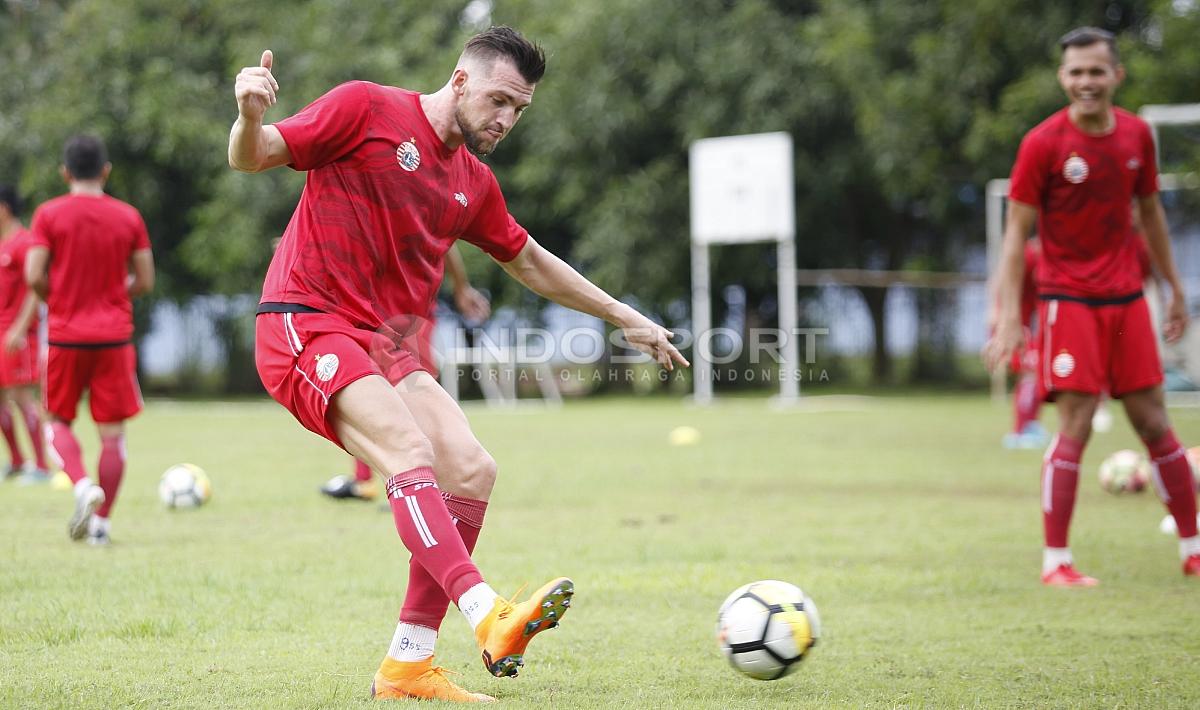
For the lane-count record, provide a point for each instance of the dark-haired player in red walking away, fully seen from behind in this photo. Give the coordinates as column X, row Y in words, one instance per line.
column 91, row 256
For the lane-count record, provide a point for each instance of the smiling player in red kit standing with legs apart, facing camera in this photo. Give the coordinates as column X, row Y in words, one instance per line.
column 1077, row 176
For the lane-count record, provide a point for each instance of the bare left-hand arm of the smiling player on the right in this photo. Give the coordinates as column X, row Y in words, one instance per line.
column 1009, row 333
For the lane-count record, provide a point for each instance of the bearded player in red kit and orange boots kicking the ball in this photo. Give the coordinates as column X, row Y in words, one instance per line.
column 393, row 182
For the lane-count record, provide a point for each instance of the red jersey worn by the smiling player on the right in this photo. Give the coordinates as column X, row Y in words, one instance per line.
column 1083, row 186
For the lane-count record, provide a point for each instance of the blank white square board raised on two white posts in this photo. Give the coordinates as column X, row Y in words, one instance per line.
column 742, row 189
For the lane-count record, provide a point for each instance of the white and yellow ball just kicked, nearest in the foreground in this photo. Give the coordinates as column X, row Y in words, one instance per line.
column 766, row 628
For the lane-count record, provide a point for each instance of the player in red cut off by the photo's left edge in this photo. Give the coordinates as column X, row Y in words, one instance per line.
column 19, row 351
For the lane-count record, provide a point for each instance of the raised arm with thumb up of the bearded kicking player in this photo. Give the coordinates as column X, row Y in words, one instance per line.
column 254, row 147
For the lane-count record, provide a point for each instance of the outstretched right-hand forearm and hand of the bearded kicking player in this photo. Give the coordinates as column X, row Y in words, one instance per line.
column 549, row 276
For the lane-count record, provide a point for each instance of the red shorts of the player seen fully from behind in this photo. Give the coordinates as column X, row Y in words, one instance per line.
column 109, row 374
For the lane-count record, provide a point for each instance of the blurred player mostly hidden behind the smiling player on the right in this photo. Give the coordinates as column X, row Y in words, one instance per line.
column 1028, row 432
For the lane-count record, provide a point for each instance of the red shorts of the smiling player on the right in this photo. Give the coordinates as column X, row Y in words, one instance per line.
column 1094, row 350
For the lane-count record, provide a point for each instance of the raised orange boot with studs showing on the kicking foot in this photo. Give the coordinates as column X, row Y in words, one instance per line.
column 508, row 629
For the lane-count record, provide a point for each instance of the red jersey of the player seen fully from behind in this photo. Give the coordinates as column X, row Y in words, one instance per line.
column 91, row 239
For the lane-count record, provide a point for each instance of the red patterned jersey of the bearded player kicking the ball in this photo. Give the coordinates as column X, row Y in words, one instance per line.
column 383, row 202
